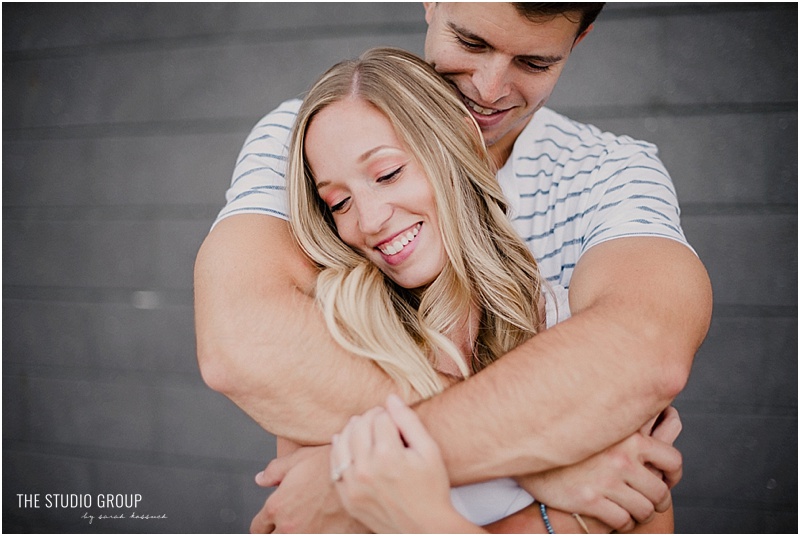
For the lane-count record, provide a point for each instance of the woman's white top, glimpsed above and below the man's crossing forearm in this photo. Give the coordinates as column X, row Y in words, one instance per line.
column 487, row 502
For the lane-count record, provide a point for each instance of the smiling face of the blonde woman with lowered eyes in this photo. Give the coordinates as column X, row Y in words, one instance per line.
column 382, row 202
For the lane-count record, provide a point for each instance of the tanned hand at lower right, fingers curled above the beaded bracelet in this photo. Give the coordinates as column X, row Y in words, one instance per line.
column 627, row 483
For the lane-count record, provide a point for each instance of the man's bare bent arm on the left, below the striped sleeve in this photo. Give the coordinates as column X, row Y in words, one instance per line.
column 261, row 340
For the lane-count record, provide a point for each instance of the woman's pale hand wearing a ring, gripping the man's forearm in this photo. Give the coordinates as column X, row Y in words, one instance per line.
column 389, row 474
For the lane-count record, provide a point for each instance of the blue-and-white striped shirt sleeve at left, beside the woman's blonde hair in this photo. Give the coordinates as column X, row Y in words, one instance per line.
column 258, row 185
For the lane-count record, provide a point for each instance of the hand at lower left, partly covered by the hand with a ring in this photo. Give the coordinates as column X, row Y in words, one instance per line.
column 305, row 501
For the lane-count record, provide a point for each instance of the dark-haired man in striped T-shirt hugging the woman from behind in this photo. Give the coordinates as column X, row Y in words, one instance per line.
column 640, row 302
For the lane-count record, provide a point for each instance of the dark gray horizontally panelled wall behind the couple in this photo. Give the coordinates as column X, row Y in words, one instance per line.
column 121, row 125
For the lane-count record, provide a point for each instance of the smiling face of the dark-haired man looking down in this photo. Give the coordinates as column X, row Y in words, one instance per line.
column 504, row 65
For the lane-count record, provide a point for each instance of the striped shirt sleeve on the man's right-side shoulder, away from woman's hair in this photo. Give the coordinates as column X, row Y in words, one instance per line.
column 631, row 195
